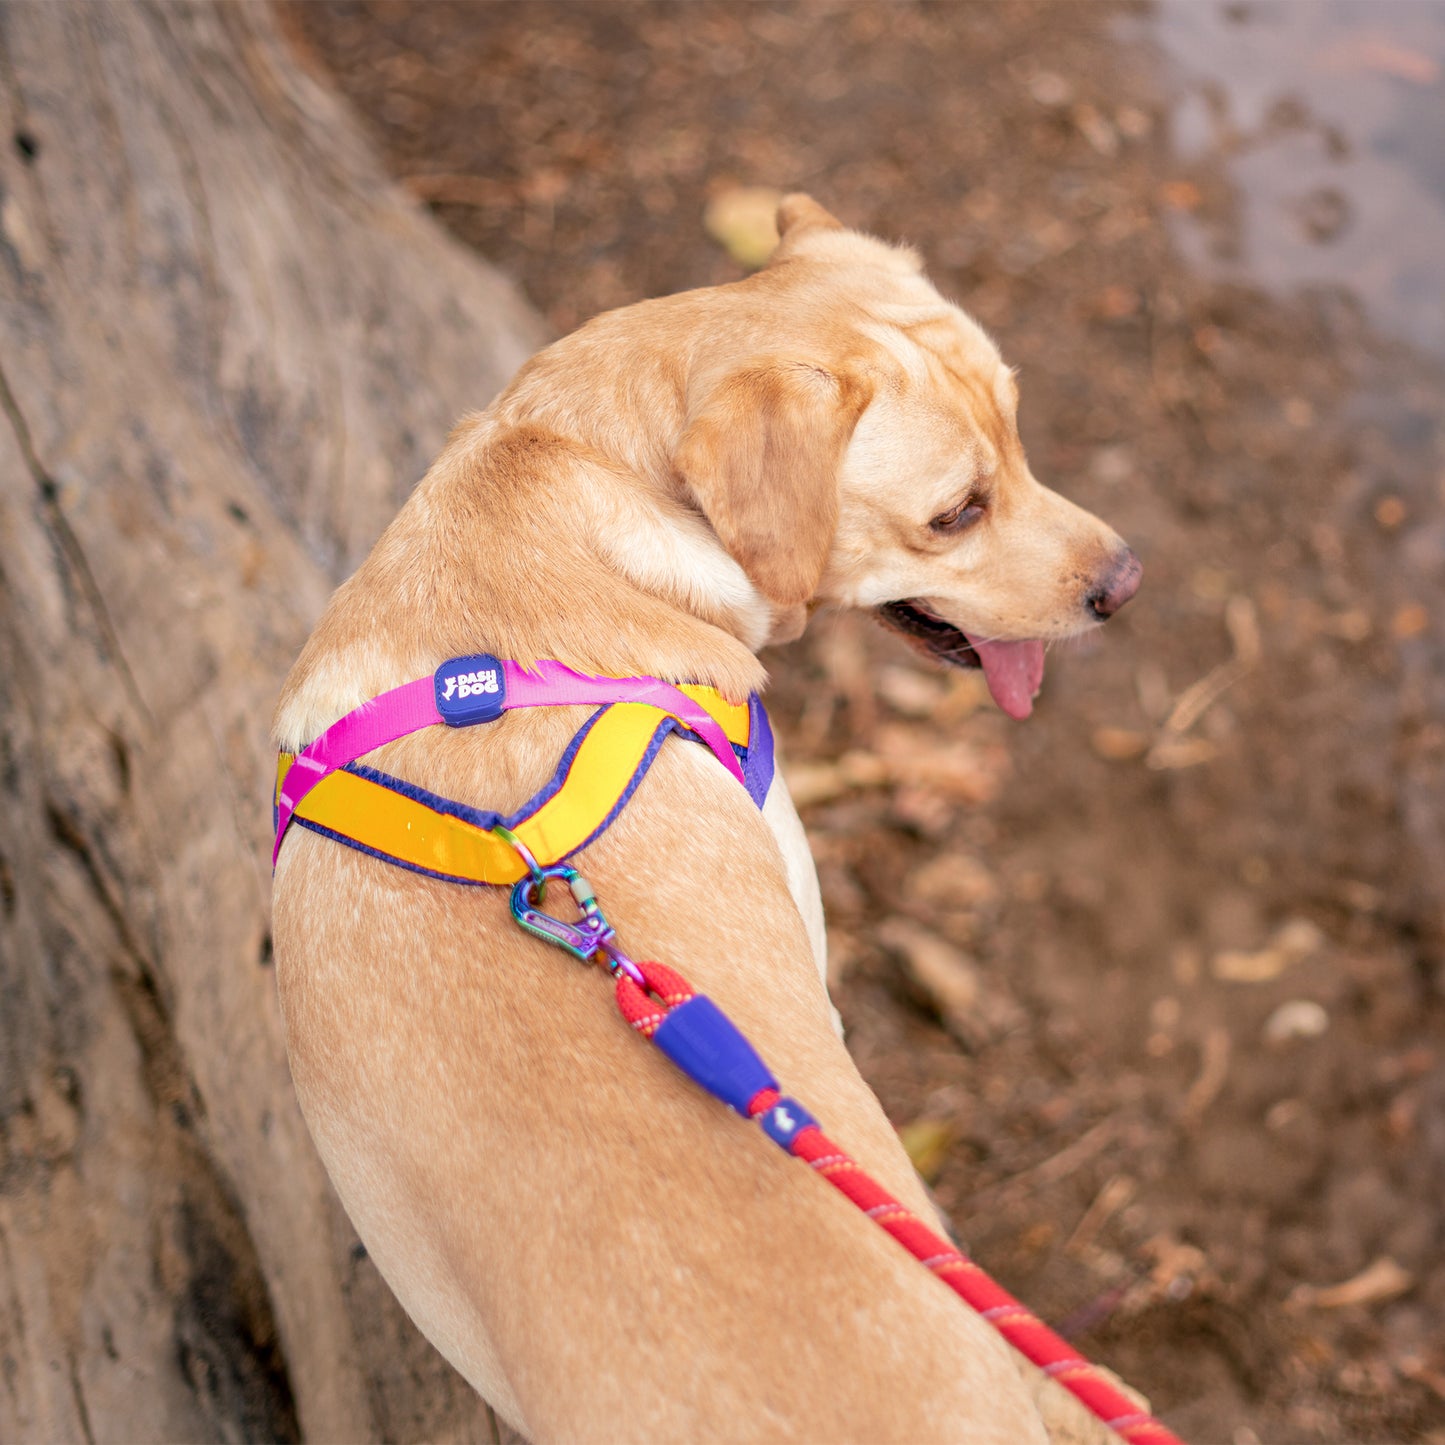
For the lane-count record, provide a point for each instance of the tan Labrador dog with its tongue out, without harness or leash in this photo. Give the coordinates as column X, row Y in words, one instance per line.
column 602, row 1249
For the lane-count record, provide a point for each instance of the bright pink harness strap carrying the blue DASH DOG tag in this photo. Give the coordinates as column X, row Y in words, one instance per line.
column 415, row 706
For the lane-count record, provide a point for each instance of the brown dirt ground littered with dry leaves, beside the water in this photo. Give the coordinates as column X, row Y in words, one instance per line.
column 1152, row 982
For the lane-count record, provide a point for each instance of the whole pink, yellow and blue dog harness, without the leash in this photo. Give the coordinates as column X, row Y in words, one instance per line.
column 326, row 790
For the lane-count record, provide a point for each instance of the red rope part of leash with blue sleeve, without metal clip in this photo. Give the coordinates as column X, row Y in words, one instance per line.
column 665, row 996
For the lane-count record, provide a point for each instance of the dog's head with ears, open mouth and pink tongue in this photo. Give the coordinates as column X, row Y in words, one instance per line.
column 868, row 454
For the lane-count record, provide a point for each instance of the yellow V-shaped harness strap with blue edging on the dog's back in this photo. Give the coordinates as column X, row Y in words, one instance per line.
column 404, row 824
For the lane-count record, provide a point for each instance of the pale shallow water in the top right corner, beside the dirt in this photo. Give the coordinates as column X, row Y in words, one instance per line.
column 1330, row 118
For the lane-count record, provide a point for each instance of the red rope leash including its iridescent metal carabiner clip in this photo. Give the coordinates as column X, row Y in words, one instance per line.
column 691, row 1030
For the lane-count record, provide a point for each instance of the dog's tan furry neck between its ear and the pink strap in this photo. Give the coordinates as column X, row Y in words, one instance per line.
column 531, row 545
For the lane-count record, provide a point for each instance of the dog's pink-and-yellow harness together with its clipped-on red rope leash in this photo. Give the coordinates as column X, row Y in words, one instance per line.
column 326, row 790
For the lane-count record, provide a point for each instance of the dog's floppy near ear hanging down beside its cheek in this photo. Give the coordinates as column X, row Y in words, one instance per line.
column 761, row 459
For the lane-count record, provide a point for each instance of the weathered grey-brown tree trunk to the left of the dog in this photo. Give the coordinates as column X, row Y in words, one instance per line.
column 228, row 348
